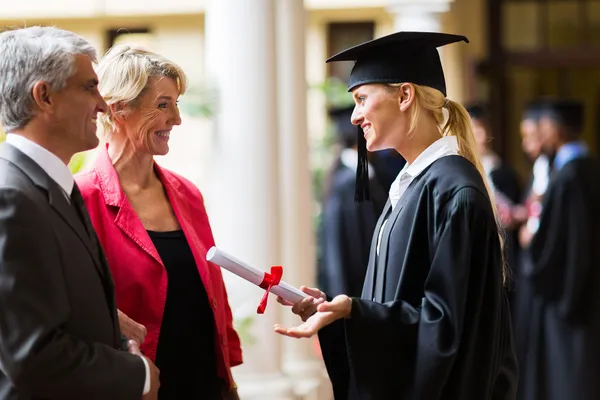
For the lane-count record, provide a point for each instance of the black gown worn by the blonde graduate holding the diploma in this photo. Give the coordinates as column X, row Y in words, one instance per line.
column 433, row 321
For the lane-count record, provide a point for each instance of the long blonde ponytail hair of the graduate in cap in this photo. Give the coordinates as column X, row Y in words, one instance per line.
column 459, row 125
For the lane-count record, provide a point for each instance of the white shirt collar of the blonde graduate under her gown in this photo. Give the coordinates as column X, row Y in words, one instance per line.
column 445, row 146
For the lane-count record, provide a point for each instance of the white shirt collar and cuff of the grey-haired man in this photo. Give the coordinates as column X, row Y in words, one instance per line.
column 61, row 174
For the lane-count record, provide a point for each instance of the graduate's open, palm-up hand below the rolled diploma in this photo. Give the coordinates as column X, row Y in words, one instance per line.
column 327, row 312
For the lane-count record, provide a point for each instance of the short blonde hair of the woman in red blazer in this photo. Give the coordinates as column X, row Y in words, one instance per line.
column 124, row 73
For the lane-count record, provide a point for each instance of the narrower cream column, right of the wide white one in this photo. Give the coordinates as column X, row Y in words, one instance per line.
column 298, row 244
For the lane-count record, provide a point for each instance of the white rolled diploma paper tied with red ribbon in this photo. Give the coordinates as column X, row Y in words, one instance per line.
column 252, row 274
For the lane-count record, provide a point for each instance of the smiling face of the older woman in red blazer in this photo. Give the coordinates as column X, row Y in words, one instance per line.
column 149, row 124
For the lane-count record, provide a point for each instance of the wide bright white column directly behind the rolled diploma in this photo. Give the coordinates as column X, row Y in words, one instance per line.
column 243, row 191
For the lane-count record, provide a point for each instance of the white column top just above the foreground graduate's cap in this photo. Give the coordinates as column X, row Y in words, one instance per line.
column 418, row 15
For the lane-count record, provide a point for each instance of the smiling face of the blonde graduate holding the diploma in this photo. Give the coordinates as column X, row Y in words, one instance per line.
column 378, row 113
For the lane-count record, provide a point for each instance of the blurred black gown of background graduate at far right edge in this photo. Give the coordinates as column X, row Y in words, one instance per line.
column 563, row 358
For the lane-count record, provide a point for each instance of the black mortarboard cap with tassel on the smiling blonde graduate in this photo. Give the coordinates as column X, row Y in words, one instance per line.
column 402, row 57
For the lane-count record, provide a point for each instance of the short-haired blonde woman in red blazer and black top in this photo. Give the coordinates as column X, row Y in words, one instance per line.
column 155, row 231
